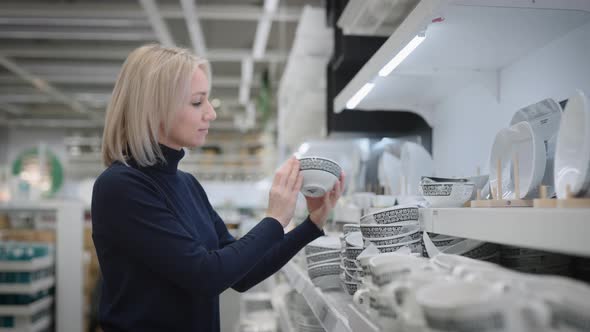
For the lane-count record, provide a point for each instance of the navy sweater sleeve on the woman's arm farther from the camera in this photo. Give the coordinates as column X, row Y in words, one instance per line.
column 276, row 257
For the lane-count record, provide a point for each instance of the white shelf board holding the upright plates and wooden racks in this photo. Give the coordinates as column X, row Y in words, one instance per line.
column 560, row 230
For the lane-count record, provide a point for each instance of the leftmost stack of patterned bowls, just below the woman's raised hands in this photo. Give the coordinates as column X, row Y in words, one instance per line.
column 323, row 261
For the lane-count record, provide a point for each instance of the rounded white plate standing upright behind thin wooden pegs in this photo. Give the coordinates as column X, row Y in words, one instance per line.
column 518, row 139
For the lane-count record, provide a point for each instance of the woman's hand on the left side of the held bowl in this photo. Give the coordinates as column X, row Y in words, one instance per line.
column 283, row 193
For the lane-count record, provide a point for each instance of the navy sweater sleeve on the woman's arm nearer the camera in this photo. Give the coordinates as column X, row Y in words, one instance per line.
column 132, row 215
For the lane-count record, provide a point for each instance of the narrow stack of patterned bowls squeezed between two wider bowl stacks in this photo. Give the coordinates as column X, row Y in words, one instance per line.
column 351, row 274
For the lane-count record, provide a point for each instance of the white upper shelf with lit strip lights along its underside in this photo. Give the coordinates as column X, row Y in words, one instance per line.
column 469, row 40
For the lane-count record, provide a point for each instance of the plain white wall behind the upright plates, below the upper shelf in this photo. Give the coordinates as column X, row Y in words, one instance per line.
column 467, row 122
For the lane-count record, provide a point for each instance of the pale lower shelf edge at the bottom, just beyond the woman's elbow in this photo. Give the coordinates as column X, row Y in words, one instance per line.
column 334, row 309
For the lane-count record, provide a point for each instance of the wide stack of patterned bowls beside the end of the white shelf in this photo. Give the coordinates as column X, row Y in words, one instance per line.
column 393, row 228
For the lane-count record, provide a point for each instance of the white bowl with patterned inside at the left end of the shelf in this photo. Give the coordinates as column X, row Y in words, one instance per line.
column 447, row 194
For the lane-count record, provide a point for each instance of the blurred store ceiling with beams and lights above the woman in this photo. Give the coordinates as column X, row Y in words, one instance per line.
column 59, row 58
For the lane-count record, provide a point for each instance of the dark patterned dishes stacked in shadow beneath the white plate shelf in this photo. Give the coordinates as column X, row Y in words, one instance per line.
column 534, row 261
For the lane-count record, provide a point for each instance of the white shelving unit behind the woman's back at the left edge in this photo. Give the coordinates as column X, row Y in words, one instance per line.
column 68, row 264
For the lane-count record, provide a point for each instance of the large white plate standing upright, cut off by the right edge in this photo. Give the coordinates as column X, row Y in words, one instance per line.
column 572, row 155
